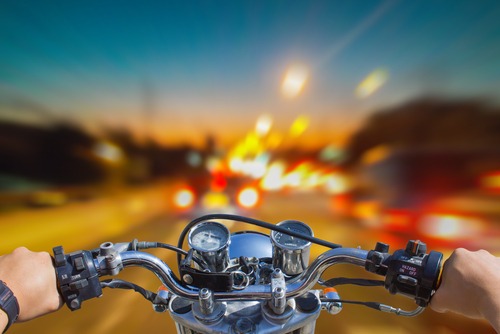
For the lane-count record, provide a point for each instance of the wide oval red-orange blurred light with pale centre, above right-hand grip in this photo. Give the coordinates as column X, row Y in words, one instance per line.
column 449, row 226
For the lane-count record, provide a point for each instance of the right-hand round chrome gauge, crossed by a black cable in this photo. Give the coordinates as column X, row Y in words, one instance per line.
column 291, row 254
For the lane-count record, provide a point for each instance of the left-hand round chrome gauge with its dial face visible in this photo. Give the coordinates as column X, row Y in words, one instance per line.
column 210, row 243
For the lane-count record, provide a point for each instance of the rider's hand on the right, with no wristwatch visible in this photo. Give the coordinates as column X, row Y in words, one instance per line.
column 470, row 286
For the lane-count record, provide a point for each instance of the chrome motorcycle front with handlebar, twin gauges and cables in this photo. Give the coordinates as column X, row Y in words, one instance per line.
column 249, row 282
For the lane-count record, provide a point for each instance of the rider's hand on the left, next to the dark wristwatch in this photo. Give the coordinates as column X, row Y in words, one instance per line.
column 32, row 279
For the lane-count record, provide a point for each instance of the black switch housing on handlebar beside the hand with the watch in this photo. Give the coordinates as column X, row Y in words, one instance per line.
column 77, row 277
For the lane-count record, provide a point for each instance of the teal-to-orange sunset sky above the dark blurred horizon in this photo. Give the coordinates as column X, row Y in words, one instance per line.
column 182, row 70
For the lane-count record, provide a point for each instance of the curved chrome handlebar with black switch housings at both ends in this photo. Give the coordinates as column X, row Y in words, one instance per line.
column 78, row 274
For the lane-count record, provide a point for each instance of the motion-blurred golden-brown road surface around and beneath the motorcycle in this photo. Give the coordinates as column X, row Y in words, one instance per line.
column 144, row 213
